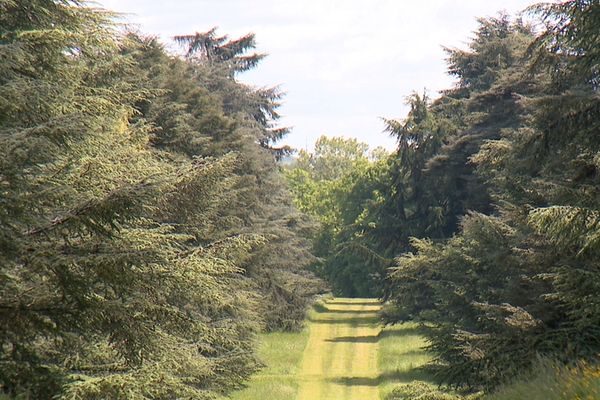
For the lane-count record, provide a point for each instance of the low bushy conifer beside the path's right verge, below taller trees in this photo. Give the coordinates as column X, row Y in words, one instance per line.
column 472, row 289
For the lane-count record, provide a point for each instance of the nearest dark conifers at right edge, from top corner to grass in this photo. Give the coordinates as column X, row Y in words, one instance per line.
column 523, row 281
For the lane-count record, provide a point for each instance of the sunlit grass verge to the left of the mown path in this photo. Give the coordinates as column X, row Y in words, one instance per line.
column 282, row 354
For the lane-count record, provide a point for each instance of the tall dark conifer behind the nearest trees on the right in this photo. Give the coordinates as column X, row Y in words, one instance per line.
column 432, row 182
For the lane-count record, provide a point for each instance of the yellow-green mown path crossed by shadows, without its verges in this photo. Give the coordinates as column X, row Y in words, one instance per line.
column 340, row 359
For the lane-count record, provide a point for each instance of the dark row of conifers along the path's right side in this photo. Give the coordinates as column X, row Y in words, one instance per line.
column 491, row 203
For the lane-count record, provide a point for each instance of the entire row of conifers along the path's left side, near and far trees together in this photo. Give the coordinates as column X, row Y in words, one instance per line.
column 146, row 235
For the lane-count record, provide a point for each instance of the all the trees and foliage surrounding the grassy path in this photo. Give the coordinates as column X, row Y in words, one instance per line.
column 147, row 235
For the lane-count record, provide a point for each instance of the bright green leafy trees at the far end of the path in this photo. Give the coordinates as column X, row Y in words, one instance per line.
column 336, row 184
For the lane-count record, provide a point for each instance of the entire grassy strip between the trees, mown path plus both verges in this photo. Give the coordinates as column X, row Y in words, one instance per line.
column 342, row 354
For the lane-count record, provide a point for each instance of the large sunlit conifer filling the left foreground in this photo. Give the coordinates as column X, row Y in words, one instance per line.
column 113, row 284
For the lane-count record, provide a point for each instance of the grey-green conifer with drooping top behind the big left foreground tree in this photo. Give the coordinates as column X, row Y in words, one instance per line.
column 263, row 207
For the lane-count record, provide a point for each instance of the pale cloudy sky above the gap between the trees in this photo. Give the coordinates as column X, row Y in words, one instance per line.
column 343, row 64
